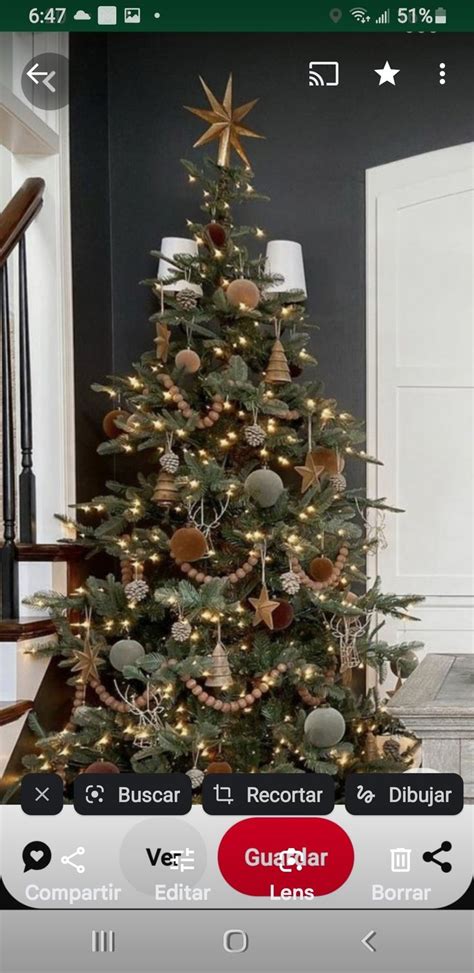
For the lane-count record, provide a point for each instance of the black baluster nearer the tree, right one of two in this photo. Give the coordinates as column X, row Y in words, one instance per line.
column 27, row 477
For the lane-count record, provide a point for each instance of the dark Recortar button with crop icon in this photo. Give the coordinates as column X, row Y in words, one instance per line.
column 266, row 794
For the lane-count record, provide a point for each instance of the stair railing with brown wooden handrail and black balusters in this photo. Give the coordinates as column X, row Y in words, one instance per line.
column 14, row 222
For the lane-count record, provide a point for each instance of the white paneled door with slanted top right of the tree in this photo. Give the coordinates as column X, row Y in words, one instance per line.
column 420, row 386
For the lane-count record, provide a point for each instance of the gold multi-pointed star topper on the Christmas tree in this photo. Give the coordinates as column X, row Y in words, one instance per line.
column 224, row 124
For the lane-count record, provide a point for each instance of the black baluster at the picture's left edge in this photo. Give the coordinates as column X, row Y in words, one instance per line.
column 8, row 560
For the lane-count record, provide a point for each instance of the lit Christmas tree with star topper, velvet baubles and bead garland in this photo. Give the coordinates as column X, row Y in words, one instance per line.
column 232, row 637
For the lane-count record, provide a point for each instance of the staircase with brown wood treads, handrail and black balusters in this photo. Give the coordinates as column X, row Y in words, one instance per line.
column 26, row 680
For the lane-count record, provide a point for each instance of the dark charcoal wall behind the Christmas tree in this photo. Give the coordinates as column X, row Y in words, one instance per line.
column 128, row 190
